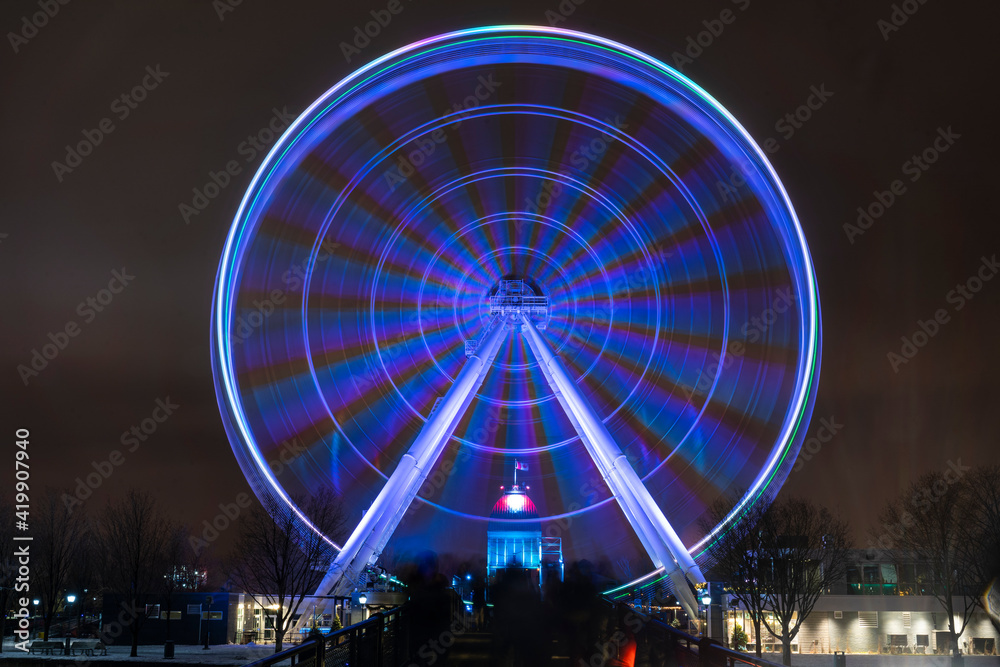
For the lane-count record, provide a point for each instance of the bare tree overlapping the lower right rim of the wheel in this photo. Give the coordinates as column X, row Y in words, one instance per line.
column 737, row 553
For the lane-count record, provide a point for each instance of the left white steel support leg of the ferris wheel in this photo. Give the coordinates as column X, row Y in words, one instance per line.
column 380, row 521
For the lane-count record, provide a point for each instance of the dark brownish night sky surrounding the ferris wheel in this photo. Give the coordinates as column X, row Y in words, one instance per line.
column 215, row 80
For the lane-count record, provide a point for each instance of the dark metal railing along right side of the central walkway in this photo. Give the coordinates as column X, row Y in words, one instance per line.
column 657, row 643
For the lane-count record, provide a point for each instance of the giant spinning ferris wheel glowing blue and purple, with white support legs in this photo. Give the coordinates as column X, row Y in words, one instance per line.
column 521, row 242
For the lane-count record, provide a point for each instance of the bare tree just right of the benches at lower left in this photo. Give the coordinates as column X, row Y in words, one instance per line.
column 135, row 537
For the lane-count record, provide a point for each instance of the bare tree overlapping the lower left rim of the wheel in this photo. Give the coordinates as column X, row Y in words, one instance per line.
column 278, row 563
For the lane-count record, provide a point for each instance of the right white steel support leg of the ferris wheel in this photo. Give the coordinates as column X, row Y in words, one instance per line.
column 658, row 537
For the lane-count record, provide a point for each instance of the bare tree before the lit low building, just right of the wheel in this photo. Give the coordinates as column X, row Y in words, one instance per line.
column 804, row 551
